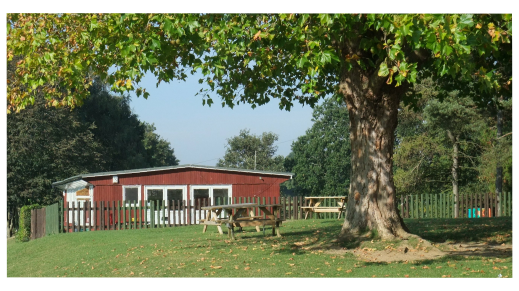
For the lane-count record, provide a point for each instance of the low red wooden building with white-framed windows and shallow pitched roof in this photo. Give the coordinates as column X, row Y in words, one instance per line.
column 185, row 182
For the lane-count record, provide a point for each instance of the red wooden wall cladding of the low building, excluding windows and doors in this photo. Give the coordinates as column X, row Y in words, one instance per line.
column 243, row 184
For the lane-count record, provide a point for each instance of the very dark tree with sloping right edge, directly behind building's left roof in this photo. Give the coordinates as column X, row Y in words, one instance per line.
column 127, row 142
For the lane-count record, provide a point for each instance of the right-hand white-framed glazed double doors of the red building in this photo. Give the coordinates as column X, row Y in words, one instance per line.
column 218, row 194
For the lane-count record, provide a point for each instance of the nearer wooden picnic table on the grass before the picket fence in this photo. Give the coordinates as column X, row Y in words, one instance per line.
column 243, row 216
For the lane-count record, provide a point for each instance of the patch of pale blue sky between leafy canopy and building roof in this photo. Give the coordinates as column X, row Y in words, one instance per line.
column 198, row 133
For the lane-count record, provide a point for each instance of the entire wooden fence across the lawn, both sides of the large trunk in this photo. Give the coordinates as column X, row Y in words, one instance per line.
column 120, row 215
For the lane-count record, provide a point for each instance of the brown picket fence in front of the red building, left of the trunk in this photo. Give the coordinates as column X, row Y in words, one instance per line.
column 121, row 215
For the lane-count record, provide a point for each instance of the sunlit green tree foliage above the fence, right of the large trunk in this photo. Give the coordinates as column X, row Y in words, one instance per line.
column 423, row 155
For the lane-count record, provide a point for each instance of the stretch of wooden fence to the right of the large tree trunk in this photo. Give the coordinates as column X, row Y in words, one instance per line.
column 470, row 205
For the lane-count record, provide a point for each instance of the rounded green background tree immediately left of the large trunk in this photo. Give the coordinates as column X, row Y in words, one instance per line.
column 320, row 159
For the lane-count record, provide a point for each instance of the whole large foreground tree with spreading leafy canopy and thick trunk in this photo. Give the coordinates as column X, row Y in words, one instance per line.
column 366, row 59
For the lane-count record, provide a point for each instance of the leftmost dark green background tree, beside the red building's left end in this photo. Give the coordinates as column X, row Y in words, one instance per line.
column 45, row 145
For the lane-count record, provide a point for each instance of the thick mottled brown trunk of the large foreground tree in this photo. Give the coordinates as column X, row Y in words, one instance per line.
column 372, row 205
